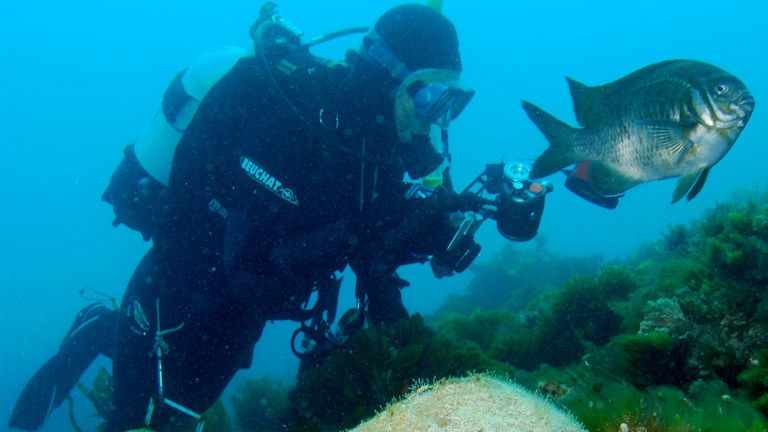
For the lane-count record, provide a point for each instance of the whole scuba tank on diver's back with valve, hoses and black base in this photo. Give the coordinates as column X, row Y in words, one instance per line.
column 136, row 186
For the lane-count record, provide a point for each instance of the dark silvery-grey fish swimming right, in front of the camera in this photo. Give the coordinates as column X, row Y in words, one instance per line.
column 676, row 118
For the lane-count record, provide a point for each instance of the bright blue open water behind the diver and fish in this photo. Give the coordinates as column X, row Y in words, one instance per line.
column 79, row 80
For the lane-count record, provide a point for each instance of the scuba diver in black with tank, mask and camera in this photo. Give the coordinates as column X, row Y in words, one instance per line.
column 265, row 174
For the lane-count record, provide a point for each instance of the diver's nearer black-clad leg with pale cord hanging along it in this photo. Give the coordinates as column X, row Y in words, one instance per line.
column 216, row 340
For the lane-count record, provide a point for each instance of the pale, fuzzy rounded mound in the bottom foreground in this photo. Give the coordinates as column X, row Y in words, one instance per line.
column 474, row 403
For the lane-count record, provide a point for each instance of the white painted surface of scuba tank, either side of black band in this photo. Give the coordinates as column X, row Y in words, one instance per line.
column 157, row 143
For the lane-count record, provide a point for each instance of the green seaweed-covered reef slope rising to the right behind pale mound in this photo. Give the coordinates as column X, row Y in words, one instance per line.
column 672, row 338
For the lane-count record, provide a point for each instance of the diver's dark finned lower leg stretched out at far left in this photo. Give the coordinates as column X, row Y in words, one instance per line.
column 90, row 334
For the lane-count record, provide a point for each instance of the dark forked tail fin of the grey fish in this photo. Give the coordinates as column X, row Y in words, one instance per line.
column 560, row 136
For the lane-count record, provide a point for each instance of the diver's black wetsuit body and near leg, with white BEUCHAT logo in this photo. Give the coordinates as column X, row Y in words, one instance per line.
column 265, row 202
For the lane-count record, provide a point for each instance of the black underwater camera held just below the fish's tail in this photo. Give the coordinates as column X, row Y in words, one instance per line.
column 517, row 204
